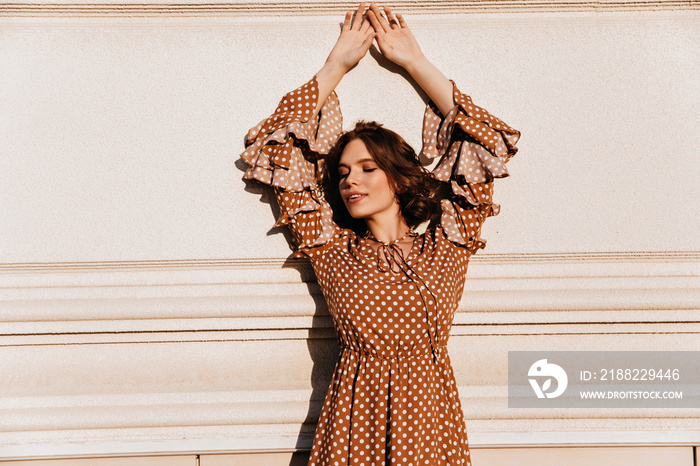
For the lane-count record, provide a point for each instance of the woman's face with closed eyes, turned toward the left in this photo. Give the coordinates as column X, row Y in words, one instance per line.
column 364, row 187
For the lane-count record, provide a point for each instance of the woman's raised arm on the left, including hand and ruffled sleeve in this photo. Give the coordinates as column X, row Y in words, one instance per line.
column 284, row 149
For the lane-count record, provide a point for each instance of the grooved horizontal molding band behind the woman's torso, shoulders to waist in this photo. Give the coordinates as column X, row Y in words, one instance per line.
column 278, row 299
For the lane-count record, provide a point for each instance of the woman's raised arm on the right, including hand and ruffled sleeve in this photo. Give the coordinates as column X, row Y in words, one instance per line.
column 473, row 146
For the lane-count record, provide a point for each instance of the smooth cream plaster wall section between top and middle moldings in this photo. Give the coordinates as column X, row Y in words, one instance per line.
column 119, row 136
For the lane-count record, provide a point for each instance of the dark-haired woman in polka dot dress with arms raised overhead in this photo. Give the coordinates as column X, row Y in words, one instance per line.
column 391, row 292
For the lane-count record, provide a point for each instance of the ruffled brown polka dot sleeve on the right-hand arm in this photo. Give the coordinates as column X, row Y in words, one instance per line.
column 474, row 147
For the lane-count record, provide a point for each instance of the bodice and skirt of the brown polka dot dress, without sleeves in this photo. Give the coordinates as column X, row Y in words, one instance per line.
column 393, row 399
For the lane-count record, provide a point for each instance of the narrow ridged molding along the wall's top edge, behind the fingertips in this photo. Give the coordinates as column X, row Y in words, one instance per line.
column 301, row 8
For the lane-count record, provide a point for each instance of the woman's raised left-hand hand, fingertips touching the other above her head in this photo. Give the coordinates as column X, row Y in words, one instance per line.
column 355, row 39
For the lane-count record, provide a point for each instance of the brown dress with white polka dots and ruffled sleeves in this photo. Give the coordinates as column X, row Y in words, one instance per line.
column 393, row 398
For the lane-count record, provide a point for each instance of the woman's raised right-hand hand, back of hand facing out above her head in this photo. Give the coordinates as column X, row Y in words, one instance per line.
column 395, row 39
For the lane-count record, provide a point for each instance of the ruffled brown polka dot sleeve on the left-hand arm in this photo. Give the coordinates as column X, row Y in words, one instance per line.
column 283, row 151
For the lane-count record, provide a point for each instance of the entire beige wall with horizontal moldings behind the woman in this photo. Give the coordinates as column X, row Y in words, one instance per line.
column 146, row 308
